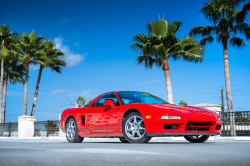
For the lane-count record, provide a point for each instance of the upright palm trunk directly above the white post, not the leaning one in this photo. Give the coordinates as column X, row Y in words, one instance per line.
column 26, row 88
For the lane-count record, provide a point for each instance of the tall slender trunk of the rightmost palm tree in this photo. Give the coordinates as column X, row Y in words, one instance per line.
column 228, row 90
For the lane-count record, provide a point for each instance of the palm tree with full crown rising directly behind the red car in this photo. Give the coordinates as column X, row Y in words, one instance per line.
column 161, row 44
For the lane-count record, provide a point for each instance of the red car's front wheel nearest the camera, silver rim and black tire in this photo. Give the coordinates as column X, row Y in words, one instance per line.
column 133, row 128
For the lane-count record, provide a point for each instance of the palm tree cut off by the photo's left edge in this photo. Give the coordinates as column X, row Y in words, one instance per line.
column 7, row 39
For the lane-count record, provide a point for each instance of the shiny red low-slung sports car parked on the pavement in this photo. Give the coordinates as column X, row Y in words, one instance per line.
column 136, row 117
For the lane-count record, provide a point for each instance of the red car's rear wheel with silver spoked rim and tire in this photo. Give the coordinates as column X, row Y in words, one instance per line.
column 72, row 132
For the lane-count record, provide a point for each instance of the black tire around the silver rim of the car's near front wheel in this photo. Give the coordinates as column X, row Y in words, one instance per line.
column 145, row 137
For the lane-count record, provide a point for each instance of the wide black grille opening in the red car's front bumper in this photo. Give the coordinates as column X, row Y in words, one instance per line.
column 197, row 126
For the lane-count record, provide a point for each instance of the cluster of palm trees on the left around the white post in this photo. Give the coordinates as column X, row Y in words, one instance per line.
column 17, row 54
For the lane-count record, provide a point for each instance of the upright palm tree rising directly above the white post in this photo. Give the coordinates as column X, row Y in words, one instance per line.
column 28, row 46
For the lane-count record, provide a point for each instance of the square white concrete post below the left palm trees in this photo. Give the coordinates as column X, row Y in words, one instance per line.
column 26, row 126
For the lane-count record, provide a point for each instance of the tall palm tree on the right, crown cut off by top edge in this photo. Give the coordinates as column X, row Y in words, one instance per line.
column 227, row 24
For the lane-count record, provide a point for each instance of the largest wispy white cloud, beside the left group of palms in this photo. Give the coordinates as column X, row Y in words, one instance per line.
column 72, row 59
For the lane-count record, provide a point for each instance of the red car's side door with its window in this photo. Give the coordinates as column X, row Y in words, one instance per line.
column 102, row 119
